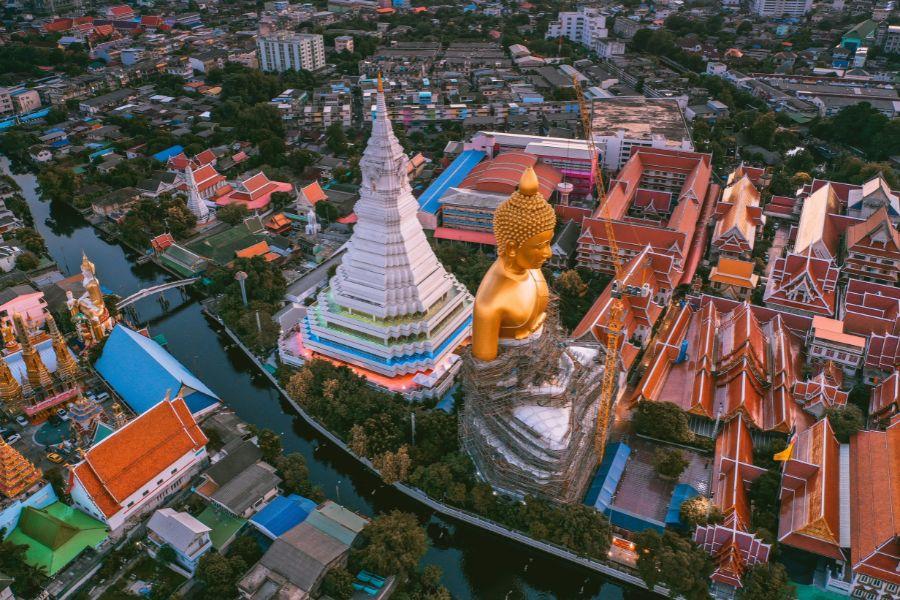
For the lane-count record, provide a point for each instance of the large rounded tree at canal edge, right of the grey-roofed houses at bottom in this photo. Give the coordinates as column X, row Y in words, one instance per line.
column 391, row 544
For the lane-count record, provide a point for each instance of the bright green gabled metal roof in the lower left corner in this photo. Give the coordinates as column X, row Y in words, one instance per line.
column 56, row 535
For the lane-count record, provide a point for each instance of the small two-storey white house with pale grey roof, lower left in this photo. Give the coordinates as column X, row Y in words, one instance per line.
column 184, row 534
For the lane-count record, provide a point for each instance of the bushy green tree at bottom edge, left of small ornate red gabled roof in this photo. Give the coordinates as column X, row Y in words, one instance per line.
column 675, row 562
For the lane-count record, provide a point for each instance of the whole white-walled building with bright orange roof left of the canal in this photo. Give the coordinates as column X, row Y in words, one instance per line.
column 137, row 467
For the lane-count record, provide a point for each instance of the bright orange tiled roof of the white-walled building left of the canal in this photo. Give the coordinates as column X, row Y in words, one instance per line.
column 125, row 461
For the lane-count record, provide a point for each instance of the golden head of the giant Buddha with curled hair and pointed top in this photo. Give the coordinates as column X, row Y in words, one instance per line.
column 523, row 226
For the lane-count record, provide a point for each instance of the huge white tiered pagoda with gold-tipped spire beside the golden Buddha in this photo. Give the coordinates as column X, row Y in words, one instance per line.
column 391, row 310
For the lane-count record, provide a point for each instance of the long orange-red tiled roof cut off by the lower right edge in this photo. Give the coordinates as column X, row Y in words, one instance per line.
column 875, row 503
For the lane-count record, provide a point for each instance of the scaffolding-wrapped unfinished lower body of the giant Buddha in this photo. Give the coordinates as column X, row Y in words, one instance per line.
column 529, row 416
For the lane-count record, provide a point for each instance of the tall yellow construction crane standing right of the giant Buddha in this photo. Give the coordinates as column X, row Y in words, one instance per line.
column 617, row 307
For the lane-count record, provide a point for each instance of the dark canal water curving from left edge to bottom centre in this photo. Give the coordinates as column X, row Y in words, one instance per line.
column 475, row 564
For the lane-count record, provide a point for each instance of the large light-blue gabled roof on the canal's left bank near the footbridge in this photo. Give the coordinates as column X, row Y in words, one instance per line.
column 142, row 373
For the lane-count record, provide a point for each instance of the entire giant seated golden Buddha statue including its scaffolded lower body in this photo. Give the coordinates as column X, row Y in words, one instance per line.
column 528, row 419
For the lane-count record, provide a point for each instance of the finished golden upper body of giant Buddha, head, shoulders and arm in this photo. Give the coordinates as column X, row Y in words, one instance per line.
column 511, row 302
